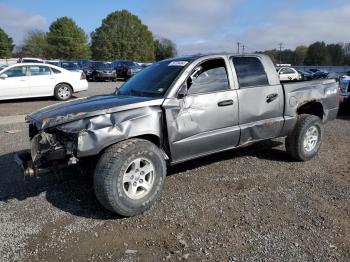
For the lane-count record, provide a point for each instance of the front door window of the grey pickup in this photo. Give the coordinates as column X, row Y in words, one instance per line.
column 211, row 76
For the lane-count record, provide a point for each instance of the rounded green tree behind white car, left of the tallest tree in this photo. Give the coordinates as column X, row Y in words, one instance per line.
column 66, row 40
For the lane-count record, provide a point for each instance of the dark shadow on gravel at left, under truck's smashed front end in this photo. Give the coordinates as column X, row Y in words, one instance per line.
column 69, row 190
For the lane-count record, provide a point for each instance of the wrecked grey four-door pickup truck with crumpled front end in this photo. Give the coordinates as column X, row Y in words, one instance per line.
column 173, row 111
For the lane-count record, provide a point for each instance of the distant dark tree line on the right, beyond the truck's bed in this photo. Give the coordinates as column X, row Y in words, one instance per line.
column 318, row 53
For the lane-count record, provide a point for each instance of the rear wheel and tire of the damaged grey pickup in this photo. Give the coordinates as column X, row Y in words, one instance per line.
column 305, row 140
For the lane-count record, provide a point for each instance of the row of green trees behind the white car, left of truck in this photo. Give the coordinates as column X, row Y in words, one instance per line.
column 121, row 35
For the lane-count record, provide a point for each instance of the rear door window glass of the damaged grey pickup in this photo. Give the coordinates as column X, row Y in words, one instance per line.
column 250, row 72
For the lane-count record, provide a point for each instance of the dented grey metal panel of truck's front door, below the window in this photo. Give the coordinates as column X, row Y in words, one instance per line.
column 197, row 125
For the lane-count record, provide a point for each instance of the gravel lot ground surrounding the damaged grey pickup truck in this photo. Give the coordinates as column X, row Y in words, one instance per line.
column 248, row 204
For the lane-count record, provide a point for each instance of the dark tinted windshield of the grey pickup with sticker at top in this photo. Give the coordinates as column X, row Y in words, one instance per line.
column 154, row 80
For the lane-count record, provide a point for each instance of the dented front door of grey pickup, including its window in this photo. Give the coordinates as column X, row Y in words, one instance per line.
column 205, row 119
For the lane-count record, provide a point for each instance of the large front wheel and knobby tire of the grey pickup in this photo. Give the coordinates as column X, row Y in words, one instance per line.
column 116, row 174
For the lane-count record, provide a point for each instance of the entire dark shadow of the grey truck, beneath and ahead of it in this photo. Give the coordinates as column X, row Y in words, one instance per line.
column 72, row 192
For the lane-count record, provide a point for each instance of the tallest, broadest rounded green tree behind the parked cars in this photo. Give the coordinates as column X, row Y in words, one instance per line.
column 122, row 35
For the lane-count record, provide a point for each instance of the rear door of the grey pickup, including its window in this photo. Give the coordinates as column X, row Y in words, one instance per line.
column 260, row 104
